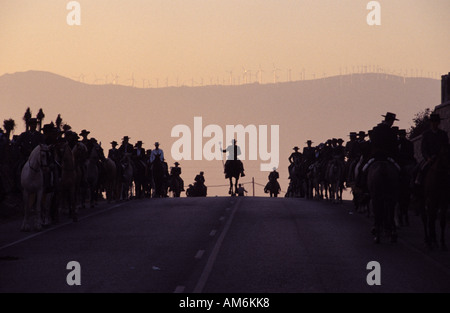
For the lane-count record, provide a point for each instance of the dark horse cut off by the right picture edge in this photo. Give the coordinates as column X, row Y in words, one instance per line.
column 435, row 193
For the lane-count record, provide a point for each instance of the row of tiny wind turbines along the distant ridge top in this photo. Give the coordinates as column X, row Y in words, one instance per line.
column 248, row 76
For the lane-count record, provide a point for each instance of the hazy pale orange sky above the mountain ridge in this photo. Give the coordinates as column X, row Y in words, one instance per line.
column 185, row 40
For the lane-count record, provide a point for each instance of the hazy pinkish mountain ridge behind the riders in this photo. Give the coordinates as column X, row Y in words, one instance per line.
column 314, row 109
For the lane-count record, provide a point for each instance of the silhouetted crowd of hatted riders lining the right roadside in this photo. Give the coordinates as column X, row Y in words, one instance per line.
column 383, row 142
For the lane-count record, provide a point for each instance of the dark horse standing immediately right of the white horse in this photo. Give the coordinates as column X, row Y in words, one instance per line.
column 67, row 181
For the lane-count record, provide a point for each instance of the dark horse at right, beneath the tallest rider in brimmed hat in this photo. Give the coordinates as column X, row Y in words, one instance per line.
column 383, row 184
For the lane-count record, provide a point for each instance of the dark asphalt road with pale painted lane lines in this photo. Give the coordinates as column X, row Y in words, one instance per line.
column 218, row 245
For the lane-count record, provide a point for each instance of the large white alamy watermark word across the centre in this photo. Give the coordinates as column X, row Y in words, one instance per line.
column 213, row 148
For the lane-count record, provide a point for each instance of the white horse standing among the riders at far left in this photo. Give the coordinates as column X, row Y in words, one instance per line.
column 32, row 181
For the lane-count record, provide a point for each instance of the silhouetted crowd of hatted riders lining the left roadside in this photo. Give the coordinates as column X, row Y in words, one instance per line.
column 15, row 150
